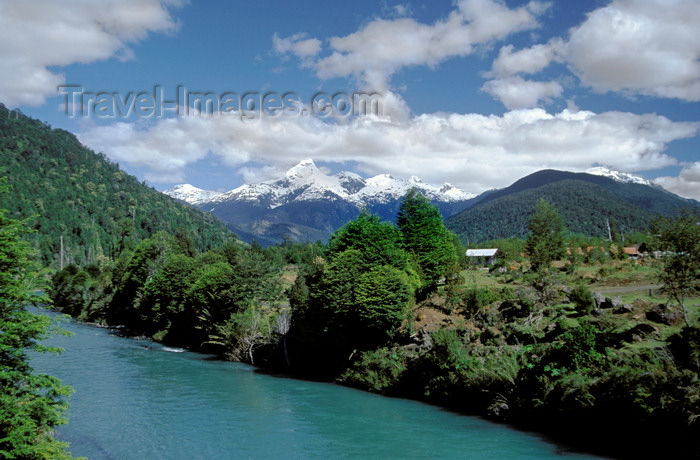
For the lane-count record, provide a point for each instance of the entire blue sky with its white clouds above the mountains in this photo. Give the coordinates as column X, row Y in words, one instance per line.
column 477, row 93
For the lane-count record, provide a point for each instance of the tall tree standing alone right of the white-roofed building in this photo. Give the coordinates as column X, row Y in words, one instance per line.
column 545, row 243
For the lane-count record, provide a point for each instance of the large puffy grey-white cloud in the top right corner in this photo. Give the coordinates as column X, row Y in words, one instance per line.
column 649, row 47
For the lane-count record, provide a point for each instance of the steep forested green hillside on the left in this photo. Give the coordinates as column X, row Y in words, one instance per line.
column 68, row 191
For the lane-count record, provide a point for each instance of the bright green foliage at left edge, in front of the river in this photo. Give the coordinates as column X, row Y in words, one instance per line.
column 31, row 405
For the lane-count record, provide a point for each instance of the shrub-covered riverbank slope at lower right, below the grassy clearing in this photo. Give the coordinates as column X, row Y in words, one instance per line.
column 613, row 382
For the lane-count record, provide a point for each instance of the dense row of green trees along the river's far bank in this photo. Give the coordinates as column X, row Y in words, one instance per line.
column 351, row 295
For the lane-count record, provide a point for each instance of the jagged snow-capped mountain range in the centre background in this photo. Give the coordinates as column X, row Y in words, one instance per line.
column 308, row 205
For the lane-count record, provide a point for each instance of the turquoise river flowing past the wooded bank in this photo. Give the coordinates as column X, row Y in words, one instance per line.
column 135, row 399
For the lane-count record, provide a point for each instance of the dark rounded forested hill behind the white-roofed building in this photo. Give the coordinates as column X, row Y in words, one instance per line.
column 586, row 202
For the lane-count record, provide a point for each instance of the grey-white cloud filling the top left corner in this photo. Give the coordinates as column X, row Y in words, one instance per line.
column 37, row 34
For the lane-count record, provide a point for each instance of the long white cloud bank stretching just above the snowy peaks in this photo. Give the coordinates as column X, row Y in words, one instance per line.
column 473, row 151
